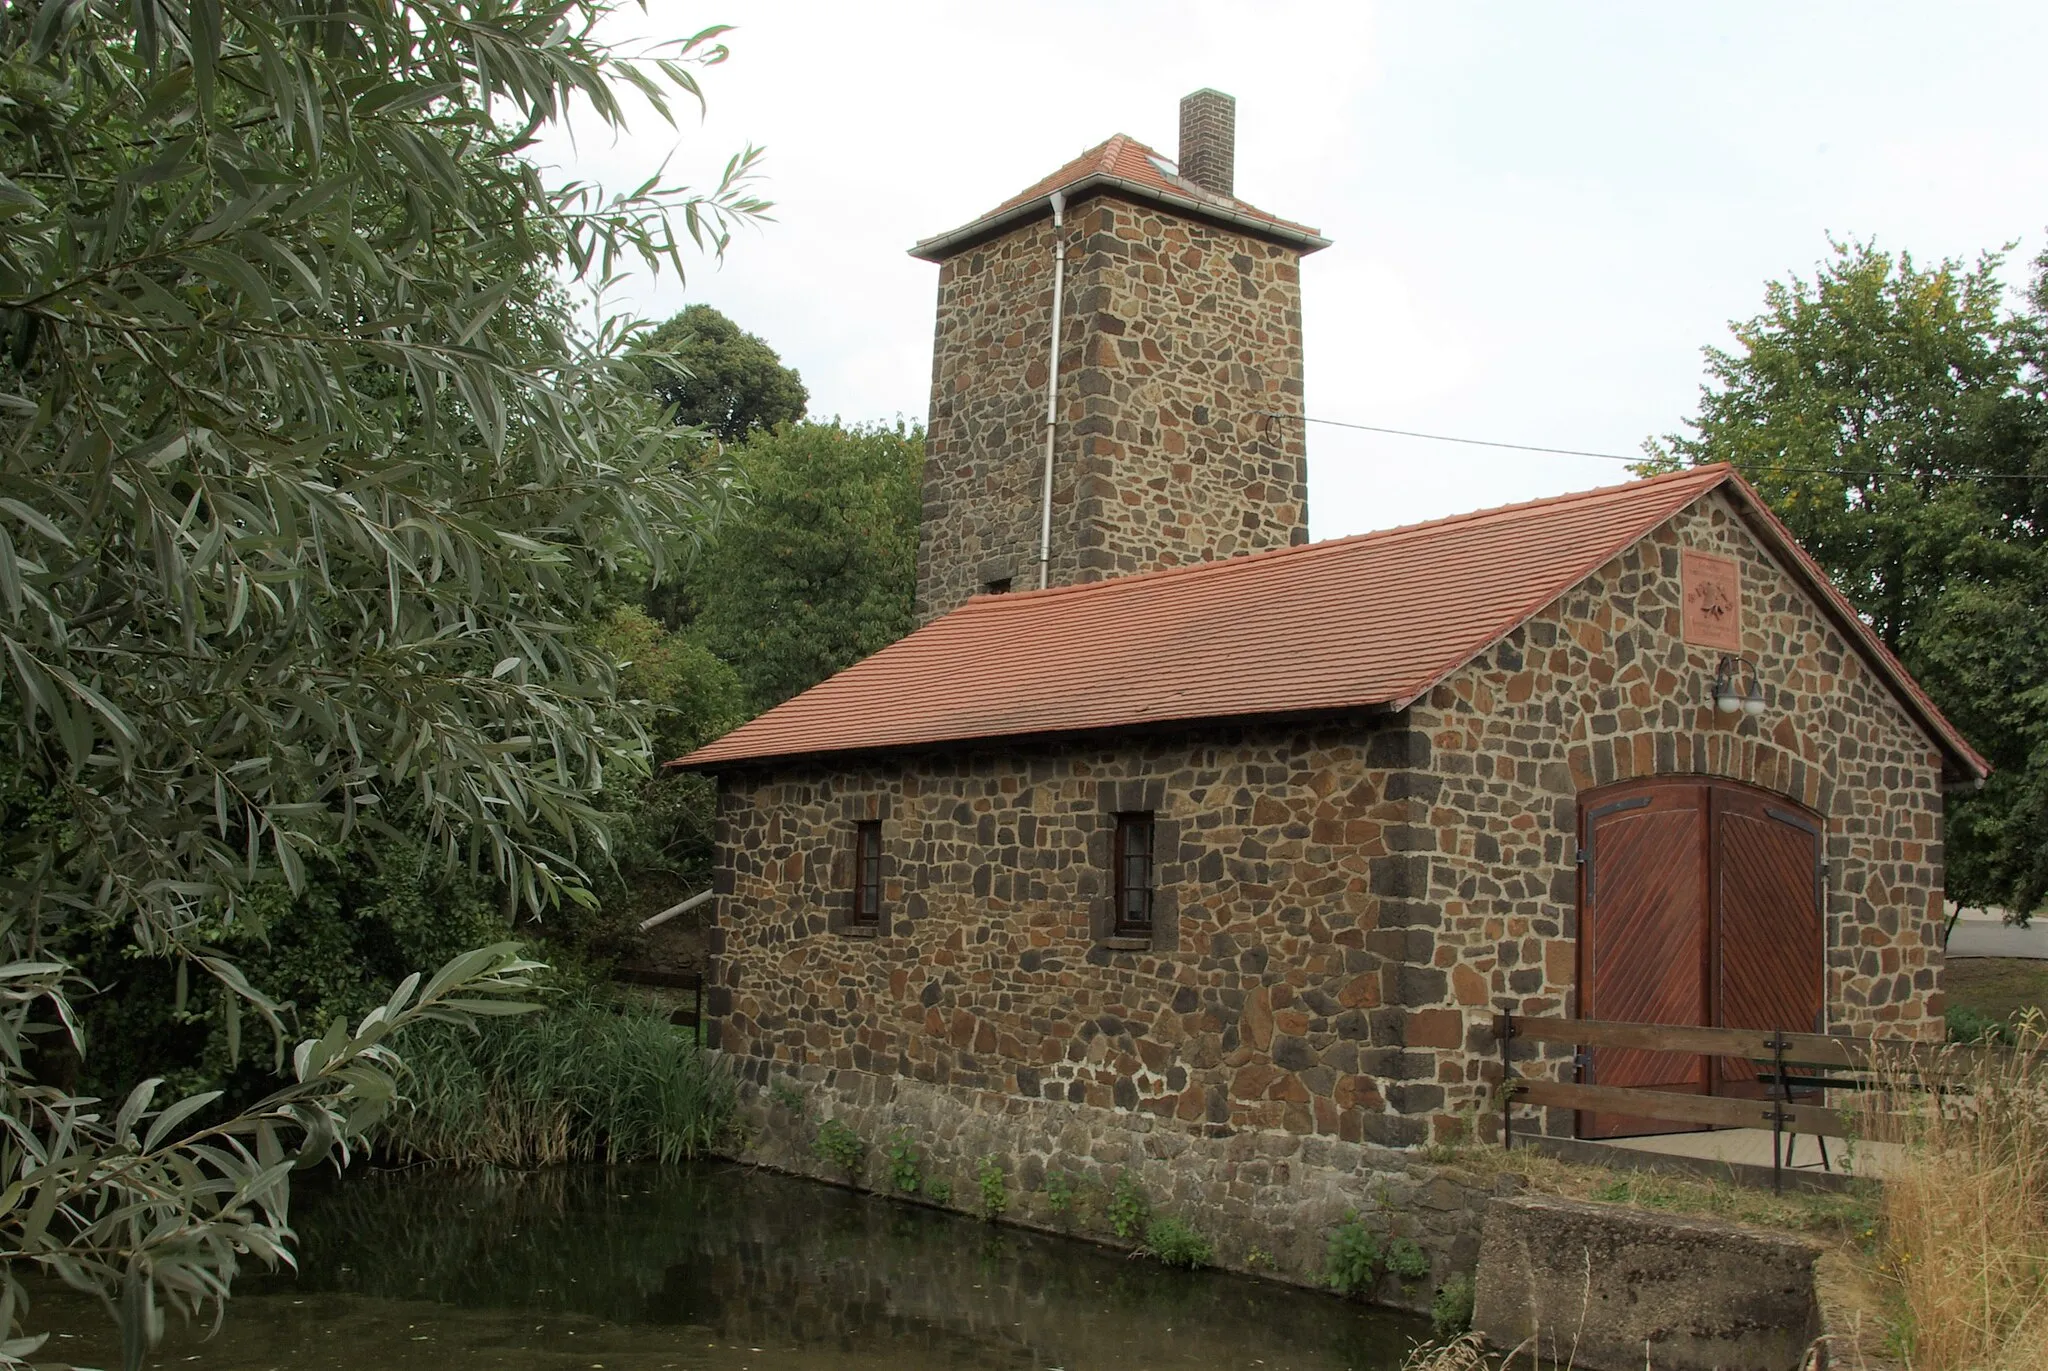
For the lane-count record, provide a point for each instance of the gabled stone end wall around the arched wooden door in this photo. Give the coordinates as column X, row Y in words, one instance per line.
column 1601, row 690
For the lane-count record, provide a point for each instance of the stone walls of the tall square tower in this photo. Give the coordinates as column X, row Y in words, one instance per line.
column 1177, row 341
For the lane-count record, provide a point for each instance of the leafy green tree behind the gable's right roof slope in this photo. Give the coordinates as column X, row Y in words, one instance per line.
column 1895, row 419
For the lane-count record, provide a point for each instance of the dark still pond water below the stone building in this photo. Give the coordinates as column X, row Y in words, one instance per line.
column 724, row 1270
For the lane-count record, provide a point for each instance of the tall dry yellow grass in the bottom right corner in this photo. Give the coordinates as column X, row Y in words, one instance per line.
column 1965, row 1220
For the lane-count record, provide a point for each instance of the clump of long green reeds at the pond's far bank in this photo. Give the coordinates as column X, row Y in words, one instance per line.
column 581, row 1081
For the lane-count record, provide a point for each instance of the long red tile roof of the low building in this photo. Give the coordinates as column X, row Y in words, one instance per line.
column 1351, row 624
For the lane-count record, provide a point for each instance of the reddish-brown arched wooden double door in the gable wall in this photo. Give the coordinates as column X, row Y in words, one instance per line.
column 1701, row 903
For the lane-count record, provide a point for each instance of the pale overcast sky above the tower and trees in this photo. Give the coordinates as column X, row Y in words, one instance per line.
column 1539, row 212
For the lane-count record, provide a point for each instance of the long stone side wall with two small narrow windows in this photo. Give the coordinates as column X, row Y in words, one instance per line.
column 1263, row 1001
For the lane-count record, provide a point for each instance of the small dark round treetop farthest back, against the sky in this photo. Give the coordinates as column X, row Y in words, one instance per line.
column 710, row 374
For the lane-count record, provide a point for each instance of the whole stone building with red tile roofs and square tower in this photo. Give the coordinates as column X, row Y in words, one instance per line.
column 1228, row 847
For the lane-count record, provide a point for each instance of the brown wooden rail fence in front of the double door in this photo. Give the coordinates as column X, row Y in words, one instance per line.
column 1793, row 1065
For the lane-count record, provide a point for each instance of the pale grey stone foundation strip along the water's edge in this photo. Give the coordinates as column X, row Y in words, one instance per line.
column 1267, row 1200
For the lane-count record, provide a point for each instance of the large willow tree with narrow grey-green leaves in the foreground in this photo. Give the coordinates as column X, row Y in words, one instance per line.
column 306, row 495
